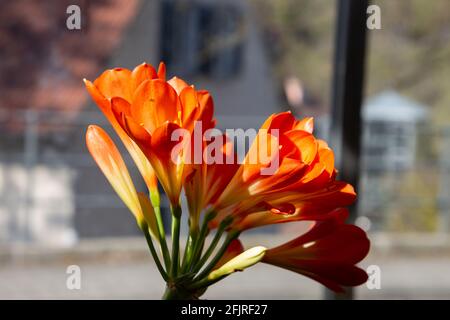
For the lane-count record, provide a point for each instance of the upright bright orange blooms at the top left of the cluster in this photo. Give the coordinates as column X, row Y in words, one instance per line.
column 149, row 110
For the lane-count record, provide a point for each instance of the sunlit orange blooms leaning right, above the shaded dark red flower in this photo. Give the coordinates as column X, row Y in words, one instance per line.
column 303, row 184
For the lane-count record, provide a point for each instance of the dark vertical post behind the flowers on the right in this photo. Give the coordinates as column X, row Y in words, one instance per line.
column 347, row 92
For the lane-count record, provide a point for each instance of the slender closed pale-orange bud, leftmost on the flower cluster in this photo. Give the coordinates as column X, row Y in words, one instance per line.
column 108, row 158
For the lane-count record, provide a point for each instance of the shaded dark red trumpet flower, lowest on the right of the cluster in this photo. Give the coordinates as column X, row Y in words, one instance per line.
column 327, row 253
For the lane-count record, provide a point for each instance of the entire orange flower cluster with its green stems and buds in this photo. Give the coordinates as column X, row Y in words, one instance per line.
column 223, row 197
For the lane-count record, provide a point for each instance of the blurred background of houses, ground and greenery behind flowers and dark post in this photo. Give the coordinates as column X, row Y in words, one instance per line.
column 256, row 57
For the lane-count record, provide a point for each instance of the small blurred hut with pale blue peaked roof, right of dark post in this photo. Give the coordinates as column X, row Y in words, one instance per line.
column 393, row 125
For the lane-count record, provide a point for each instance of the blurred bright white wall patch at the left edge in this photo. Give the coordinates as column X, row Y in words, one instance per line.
column 37, row 205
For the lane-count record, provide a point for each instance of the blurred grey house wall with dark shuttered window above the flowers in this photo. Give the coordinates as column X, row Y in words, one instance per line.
column 216, row 44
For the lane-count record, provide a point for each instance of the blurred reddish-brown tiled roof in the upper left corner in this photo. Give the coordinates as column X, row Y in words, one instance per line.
column 43, row 63
